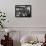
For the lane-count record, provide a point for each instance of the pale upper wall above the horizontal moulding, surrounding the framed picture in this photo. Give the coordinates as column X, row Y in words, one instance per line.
column 38, row 18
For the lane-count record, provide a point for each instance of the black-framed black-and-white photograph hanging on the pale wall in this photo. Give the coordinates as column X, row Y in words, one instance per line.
column 23, row 11
